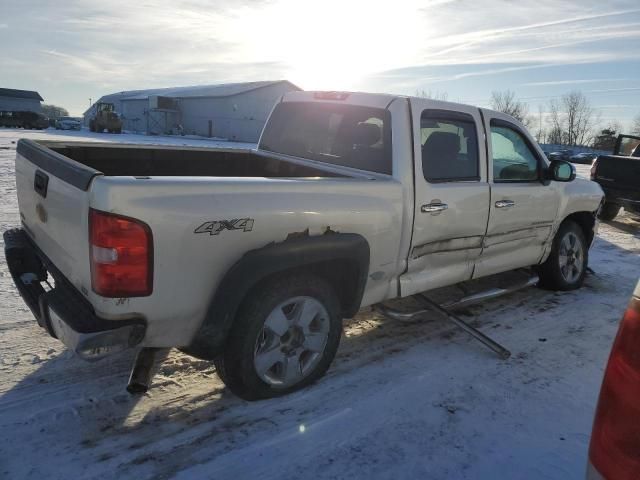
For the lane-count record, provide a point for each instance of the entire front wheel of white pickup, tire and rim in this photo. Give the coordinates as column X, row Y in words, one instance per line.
column 566, row 266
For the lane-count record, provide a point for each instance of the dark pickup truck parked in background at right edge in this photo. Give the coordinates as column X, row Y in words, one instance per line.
column 619, row 177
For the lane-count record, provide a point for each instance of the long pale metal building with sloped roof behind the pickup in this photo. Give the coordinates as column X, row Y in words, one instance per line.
column 235, row 111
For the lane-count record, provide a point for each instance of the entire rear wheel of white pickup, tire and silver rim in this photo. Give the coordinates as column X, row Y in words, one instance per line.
column 284, row 338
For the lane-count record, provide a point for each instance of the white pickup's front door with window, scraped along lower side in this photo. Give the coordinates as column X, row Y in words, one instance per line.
column 523, row 207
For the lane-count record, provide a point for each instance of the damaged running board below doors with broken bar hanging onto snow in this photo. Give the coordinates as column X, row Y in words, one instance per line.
column 463, row 302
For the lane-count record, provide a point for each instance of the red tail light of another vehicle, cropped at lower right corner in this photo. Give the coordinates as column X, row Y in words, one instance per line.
column 615, row 441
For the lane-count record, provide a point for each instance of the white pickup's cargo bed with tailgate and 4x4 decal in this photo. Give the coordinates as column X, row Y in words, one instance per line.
column 192, row 200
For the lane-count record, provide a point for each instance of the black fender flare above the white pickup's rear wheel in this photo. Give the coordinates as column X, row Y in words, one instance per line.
column 340, row 258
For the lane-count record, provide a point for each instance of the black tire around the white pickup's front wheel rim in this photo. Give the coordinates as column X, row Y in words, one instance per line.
column 551, row 272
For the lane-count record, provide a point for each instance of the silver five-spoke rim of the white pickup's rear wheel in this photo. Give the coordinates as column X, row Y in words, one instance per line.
column 292, row 341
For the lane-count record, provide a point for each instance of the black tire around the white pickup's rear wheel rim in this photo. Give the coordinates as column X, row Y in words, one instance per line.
column 235, row 366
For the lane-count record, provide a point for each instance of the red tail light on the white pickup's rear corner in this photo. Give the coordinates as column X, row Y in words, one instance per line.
column 121, row 250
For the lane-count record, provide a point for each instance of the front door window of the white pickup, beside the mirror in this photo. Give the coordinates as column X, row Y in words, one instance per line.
column 513, row 159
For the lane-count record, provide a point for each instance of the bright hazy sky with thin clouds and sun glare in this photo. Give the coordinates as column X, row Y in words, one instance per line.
column 73, row 50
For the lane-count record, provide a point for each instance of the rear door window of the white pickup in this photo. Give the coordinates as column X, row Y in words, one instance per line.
column 449, row 146
